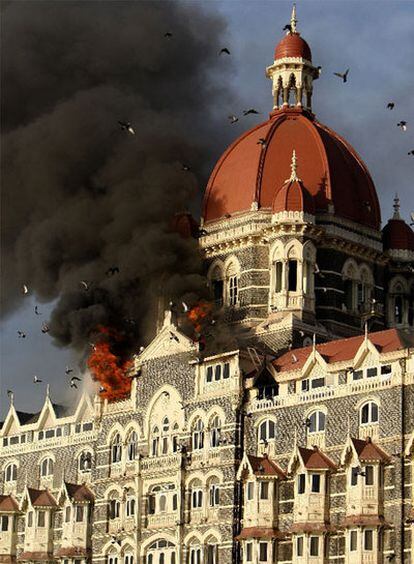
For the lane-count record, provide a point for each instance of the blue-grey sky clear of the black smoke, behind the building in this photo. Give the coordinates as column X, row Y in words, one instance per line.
column 372, row 38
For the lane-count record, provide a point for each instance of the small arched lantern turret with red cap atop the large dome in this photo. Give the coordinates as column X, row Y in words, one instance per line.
column 292, row 70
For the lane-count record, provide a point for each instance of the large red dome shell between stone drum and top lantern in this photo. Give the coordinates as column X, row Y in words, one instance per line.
column 331, row 170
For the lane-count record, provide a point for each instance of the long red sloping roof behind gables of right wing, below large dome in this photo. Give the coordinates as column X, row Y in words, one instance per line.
column 342, row 350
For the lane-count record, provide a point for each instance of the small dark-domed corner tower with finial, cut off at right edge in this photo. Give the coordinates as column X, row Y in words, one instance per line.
column 398, row 240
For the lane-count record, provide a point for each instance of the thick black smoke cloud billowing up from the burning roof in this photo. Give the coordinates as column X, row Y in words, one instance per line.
column 79, row 194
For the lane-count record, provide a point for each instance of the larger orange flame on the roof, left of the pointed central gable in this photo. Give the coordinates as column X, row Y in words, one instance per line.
column 108, row 369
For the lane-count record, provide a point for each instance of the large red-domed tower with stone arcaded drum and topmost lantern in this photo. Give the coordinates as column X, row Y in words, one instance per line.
column 291, row 219
